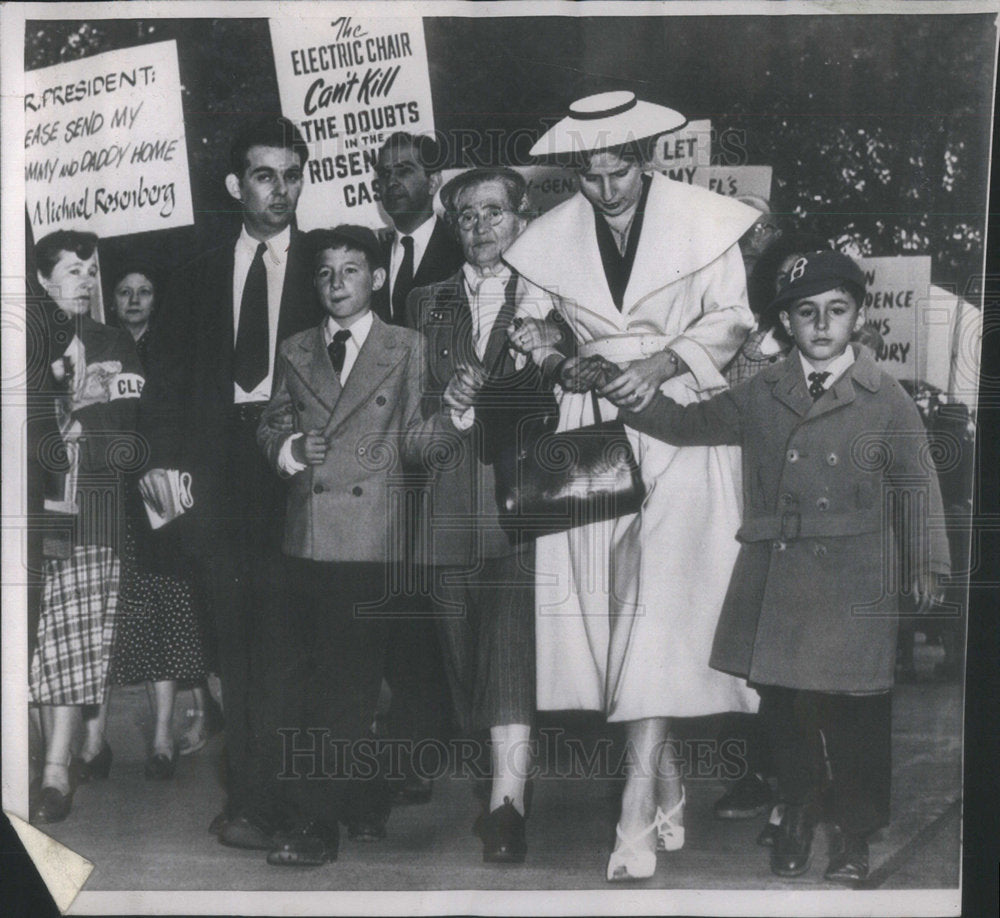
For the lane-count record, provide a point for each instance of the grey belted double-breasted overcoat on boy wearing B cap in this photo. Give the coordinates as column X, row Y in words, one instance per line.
column 841, row 504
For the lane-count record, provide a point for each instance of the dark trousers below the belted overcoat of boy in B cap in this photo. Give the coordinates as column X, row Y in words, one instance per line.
column 820, row 739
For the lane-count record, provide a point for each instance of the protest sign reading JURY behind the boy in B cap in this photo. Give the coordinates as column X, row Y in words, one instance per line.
column 895, row 305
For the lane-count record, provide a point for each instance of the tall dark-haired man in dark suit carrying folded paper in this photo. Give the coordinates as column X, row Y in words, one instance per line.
column 211, row 363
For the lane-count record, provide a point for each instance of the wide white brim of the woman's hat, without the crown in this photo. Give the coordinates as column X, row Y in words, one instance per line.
column 590, row 135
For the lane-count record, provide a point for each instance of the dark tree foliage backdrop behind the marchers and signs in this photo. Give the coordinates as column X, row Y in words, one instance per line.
column 877, row 127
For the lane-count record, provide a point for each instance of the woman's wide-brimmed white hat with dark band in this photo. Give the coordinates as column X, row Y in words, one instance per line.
column 609, row 119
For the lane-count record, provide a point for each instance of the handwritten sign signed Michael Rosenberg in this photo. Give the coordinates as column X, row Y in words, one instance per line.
column 104, row 144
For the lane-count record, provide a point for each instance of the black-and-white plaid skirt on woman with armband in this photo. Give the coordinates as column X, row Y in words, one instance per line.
column 76, row 629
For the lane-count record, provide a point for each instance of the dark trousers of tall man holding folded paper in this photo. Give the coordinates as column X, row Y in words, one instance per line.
column 233, row 537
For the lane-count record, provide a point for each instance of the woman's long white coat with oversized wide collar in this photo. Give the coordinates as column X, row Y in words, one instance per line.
column 626, row 610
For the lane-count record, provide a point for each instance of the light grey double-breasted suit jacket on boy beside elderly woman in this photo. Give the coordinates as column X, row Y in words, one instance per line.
column 343, row 509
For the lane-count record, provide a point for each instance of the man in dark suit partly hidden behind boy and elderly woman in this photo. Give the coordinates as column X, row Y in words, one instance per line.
column 419, row 250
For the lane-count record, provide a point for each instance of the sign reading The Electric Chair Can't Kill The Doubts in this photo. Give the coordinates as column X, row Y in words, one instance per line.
column 348, row 83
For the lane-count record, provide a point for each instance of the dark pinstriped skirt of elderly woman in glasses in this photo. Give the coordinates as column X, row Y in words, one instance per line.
column 486, row 621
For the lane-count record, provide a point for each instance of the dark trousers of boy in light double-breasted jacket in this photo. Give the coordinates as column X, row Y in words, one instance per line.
column 331, row 768
